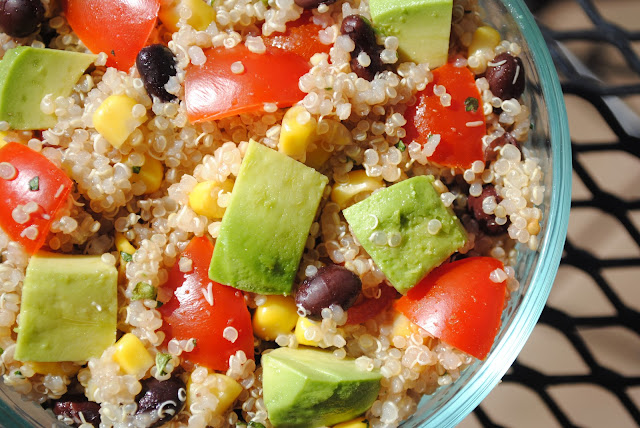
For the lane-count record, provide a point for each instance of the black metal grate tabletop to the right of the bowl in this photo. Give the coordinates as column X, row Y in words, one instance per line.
column 627, row 131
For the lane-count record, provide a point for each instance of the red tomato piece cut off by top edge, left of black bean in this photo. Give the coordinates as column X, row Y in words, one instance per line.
column 120, row 28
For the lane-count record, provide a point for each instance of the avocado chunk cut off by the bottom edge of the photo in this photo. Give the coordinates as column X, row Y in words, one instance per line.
column 306, row 388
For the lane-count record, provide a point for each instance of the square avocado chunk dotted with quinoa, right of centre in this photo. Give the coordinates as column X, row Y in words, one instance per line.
column 392, row 226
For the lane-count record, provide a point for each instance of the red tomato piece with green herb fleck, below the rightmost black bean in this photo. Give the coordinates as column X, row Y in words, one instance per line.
column 460, row 131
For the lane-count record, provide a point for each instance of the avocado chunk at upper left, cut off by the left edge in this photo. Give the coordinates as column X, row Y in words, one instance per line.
column 28, row 74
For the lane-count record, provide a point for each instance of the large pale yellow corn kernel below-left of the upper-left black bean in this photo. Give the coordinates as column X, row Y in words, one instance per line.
column 114, row 119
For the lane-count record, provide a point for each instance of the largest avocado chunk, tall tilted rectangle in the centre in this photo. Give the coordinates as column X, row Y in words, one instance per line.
column 267, row 222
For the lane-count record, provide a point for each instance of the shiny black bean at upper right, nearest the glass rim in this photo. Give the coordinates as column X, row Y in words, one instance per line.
column 506, row 80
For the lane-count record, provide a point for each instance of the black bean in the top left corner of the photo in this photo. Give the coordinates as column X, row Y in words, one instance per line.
column 19, row 18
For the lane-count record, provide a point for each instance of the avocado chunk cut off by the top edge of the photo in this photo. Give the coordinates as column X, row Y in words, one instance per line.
column 421, row 26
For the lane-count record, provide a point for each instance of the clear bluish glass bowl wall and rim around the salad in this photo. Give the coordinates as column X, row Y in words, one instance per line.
column 550, row 142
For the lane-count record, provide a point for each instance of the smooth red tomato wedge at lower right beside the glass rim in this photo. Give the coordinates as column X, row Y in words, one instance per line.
column 458, row 303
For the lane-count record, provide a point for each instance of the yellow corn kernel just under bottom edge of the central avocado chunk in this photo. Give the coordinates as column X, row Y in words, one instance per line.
column 277, row 316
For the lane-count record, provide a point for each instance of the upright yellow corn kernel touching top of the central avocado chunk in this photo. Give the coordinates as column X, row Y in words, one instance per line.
column 297, row 132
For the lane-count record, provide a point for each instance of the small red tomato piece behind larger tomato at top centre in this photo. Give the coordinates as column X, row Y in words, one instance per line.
column 302, row 38
